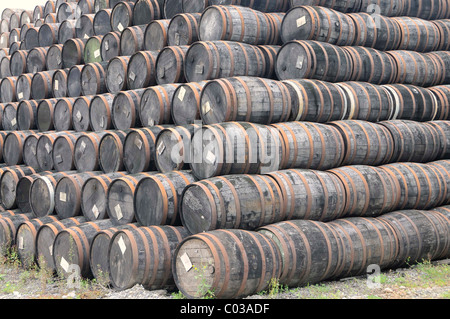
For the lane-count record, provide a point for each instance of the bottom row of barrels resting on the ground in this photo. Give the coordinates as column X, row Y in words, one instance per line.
column 168, row 257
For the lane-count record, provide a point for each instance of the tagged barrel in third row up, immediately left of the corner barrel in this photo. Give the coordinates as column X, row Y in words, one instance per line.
column 173, row 148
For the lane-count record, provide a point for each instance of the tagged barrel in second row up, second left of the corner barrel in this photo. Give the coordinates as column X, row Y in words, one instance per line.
column 120, row 196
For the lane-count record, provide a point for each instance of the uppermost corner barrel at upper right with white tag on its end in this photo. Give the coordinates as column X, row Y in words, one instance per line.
column 319, row 24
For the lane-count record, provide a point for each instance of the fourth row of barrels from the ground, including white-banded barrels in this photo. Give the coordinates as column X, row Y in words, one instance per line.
column 249, row 99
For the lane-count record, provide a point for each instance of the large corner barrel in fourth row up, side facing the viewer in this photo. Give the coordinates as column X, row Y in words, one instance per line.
column 247, row 99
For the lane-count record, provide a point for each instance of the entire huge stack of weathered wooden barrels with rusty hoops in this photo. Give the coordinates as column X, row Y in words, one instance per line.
column 185, row 144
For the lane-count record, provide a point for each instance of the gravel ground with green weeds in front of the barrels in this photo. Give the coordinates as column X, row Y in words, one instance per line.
column 424, row 281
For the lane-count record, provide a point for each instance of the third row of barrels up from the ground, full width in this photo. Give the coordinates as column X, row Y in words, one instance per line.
column 230, row 148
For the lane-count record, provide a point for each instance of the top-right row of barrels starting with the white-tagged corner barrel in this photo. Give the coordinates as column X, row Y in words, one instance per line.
column 365, row 29
